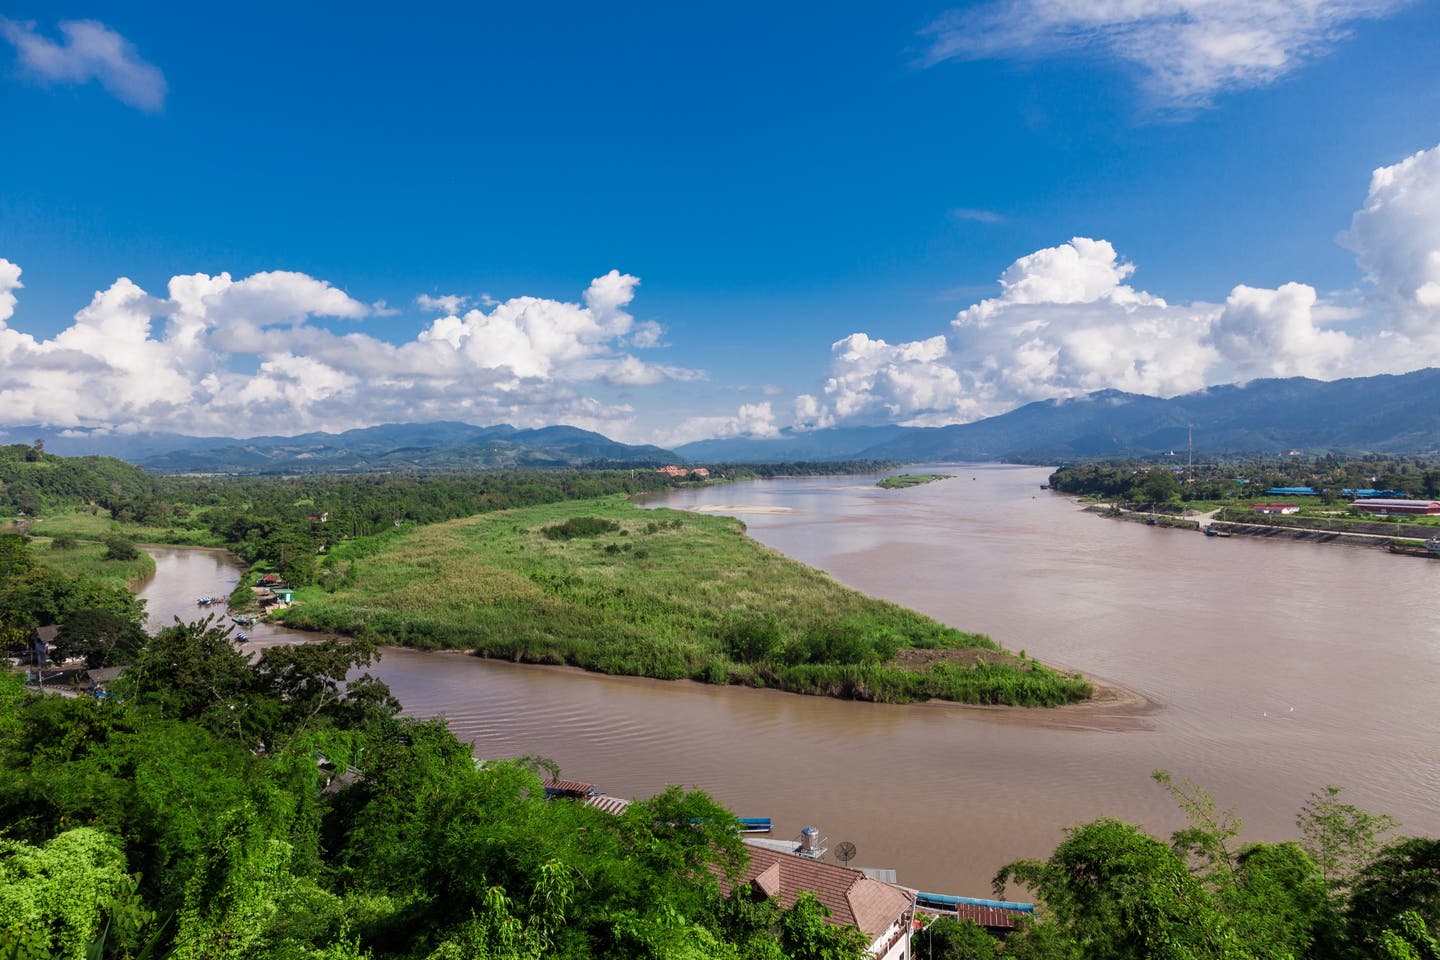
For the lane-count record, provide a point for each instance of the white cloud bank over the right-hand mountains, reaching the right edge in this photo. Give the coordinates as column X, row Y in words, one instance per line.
column 1068, row 323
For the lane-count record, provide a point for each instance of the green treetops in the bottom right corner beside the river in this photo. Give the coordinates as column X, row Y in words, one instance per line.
column 1111, row 892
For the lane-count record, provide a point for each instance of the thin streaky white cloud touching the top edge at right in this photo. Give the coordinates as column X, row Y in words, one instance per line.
column 1187, row 51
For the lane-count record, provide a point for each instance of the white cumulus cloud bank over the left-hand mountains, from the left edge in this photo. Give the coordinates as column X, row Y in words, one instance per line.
column 257, row 356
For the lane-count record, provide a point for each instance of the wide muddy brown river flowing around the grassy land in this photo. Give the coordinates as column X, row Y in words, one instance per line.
column 1272, row 669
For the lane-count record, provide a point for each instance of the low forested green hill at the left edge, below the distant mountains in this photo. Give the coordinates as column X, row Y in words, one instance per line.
column 32, row 481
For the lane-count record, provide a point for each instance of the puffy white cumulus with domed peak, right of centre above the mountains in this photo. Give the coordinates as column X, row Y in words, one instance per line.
column 1066, row 323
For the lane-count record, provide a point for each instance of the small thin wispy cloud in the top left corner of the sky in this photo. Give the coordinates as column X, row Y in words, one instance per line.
column 90, row 51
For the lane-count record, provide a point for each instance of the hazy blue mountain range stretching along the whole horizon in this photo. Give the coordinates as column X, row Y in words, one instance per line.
column 1376, row 415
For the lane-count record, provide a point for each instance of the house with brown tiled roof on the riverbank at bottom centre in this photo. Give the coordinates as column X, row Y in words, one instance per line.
column 882, row 912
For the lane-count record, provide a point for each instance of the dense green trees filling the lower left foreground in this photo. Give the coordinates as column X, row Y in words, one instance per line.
column 224, row 808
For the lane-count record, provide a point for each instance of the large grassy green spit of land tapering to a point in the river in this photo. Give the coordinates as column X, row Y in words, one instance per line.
column 611, row 588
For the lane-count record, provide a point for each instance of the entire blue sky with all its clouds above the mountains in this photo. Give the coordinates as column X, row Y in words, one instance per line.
column 817, row 217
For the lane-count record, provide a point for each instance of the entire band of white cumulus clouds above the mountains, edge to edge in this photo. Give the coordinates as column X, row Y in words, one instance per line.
column 283, row 353
